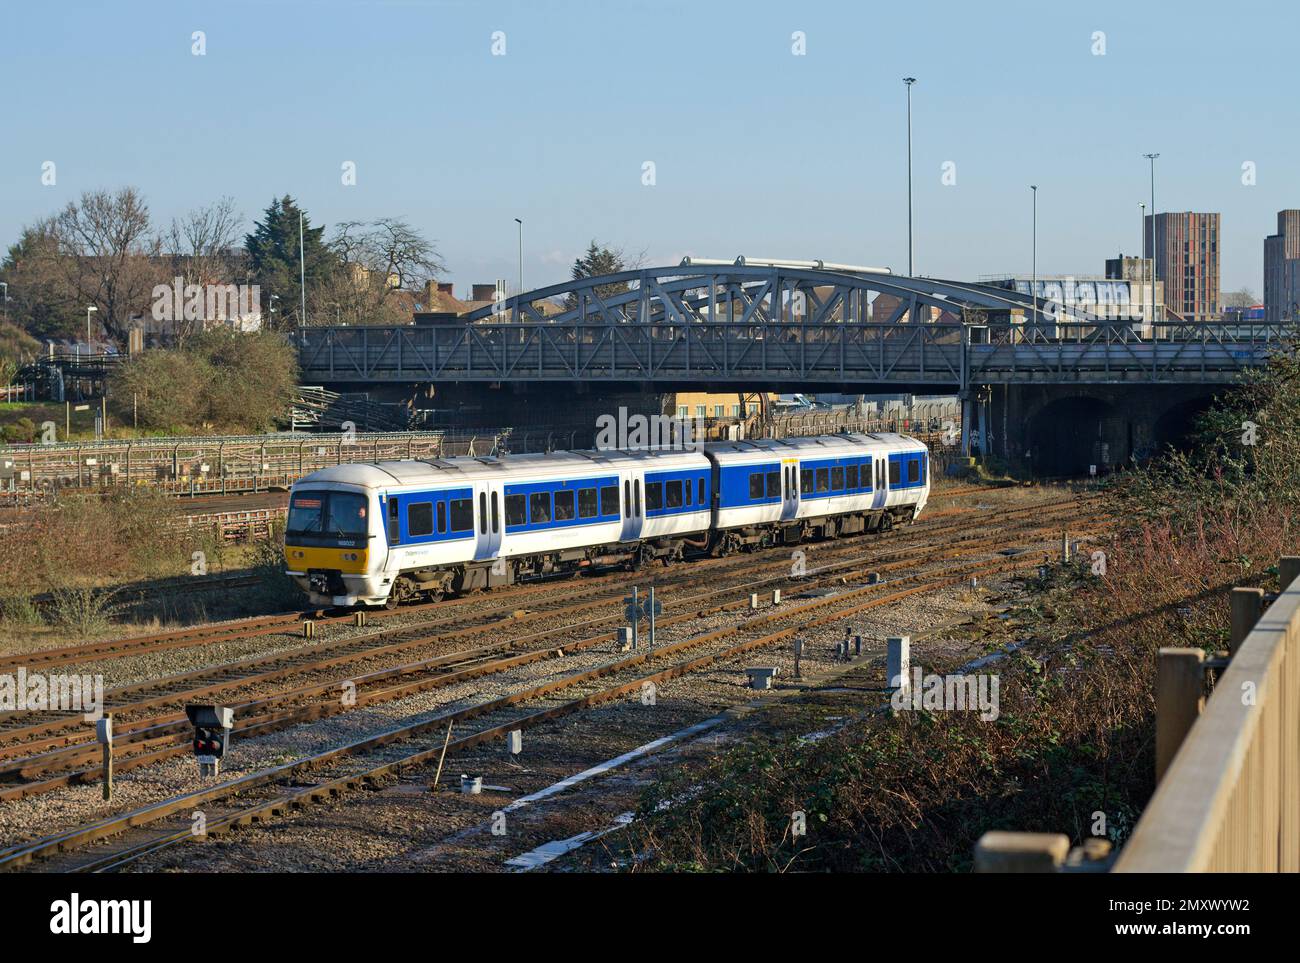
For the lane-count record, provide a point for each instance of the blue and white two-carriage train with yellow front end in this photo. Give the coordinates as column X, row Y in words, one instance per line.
column 385, row 532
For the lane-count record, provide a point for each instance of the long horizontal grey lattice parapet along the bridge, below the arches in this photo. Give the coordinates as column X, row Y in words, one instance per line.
column 943, row 357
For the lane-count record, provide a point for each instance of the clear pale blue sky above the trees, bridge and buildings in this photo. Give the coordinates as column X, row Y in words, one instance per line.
column 757, row 151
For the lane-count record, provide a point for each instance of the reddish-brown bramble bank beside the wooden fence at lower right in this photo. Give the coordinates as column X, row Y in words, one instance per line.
column 1076, row 736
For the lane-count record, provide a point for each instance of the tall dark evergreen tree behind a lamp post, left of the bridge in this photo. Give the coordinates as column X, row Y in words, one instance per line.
column 274, row 257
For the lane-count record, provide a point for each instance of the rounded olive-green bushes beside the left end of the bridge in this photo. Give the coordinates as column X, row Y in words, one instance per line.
column 219, row 380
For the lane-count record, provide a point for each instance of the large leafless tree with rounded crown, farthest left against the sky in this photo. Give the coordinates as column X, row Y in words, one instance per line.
column 109, row 255
